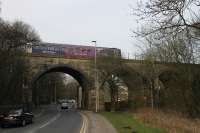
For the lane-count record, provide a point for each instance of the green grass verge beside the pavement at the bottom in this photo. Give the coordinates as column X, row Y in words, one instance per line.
column 125, row 123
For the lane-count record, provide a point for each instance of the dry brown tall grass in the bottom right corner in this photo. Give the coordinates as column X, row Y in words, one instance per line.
column 171, row 122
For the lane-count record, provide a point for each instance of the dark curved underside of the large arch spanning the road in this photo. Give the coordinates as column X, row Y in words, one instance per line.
column 76, row 74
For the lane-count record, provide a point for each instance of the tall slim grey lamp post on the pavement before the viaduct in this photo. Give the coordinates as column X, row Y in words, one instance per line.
column 96, row 78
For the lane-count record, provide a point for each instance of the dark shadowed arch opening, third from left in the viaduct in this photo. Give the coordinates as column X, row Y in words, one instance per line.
column 138, row 86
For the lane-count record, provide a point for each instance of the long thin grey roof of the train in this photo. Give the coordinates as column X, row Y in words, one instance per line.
column 69, row 45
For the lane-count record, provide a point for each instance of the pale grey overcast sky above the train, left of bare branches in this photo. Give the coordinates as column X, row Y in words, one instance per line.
column 109, row 22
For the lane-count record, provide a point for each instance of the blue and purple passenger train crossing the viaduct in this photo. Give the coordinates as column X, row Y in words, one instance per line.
column 67, row 50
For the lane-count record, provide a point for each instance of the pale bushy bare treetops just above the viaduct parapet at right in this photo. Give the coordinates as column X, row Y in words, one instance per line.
column 172, row 49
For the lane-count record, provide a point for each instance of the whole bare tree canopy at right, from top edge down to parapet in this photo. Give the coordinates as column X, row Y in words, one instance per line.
column 173, row 25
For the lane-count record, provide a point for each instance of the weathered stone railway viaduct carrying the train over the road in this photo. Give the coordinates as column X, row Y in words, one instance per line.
column 83, row 71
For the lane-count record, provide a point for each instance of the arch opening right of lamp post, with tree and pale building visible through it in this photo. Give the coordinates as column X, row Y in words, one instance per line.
column 115, row 94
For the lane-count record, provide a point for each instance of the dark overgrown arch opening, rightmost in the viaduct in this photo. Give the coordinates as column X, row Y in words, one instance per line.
column 172, row 93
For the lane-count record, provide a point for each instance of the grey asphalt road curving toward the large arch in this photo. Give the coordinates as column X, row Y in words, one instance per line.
column 52, row 120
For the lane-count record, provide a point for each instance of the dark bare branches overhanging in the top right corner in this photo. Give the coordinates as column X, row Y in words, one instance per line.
column 168, row 16
